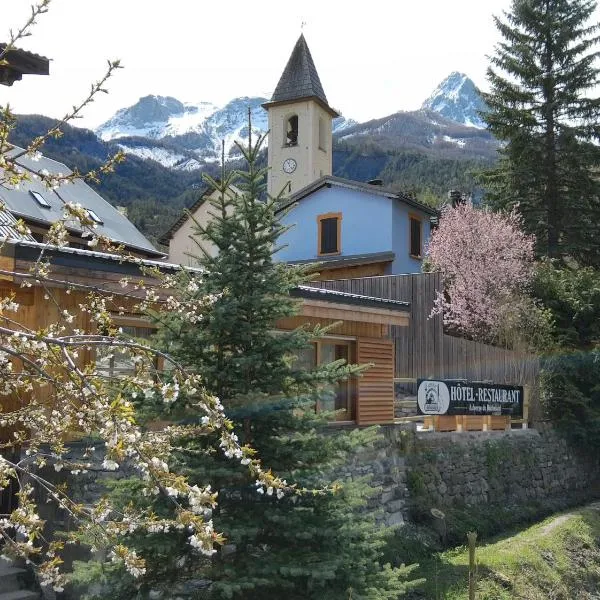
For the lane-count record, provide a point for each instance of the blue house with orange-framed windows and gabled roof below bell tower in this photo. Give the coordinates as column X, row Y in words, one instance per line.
column 354, row 229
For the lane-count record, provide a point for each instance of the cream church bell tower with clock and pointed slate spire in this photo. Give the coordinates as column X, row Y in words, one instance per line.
column 300, row 126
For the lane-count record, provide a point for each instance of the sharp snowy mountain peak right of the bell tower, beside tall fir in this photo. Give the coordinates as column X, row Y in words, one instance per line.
column 457, row 99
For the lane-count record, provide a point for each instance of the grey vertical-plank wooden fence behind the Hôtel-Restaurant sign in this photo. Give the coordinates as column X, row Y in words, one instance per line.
column 423, row 350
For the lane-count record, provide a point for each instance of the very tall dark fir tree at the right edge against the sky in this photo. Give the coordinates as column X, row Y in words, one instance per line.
column 541, row 77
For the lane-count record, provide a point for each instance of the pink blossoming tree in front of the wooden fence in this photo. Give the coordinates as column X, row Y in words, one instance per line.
column 487, row 264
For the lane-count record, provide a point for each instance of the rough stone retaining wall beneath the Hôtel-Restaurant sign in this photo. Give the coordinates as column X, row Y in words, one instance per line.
column 517, row 468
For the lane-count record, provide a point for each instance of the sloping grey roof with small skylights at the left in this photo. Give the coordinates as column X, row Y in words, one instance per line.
column 22, row 204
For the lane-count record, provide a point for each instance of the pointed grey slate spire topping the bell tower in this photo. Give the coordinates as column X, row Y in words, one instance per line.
column 300, row 79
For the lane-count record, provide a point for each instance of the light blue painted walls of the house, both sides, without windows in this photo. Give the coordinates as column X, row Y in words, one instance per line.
column 371, row 223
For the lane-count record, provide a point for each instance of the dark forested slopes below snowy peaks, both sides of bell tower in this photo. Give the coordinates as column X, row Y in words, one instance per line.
column 154, row 195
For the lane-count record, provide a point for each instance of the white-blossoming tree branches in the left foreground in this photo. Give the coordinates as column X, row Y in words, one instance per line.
column 36, row 427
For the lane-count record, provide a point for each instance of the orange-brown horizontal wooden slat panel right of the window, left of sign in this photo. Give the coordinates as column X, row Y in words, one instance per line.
column 375, row 388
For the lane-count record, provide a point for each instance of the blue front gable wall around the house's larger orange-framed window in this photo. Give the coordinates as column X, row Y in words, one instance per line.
column 366, row 223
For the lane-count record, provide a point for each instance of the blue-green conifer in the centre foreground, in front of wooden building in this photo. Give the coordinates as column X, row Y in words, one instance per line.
column 299, row 546
